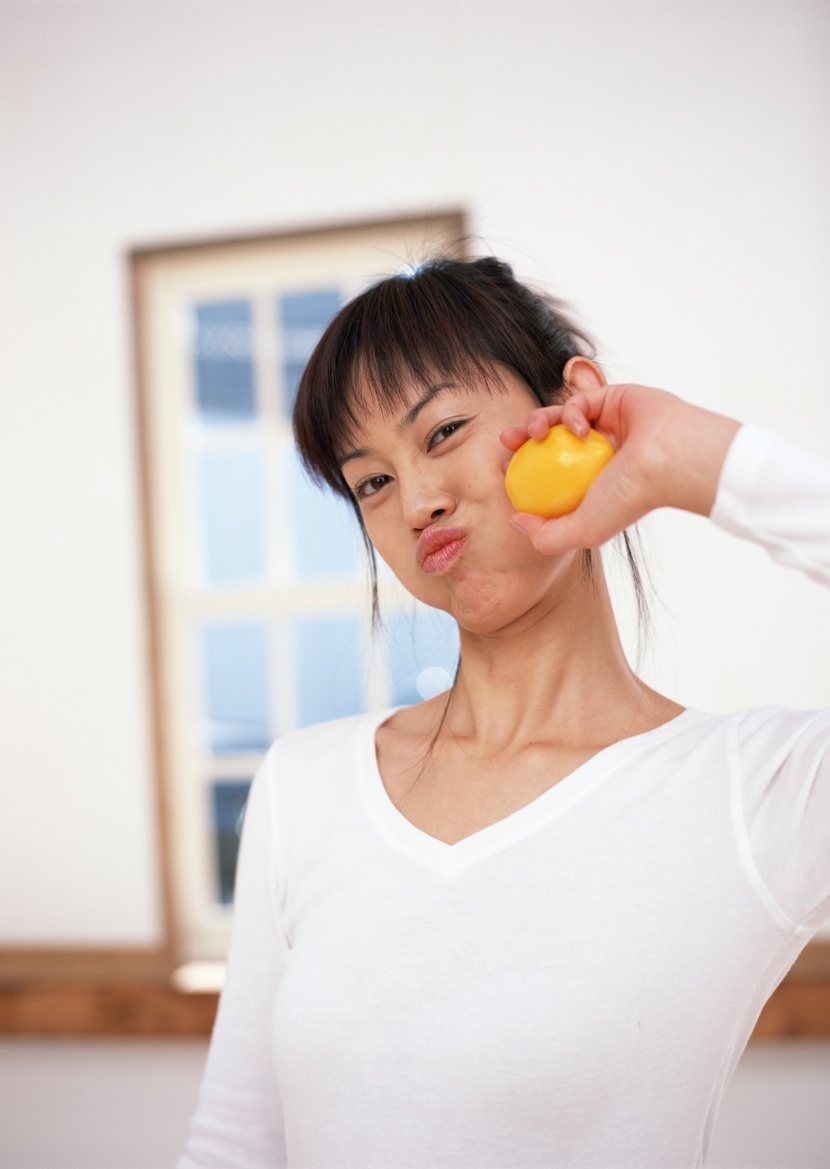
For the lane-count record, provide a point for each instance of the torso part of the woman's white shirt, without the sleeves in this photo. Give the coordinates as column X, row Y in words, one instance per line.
column 586, row 969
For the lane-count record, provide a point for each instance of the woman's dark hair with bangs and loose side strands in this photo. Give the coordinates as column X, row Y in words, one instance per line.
column 449, row 320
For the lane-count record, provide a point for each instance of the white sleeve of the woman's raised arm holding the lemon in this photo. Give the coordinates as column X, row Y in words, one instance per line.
column 779, row 496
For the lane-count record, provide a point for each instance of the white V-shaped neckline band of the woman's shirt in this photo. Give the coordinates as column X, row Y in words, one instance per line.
column 449, row 859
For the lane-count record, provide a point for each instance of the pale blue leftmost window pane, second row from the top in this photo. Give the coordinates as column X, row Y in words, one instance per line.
column 232, row 502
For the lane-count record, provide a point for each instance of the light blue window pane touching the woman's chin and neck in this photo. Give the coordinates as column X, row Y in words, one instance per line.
column 423, row 652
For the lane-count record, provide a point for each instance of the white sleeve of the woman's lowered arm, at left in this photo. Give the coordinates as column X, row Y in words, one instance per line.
column 239, row 1120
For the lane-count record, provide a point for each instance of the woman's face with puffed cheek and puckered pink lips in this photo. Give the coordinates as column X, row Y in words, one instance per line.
column 430, row 482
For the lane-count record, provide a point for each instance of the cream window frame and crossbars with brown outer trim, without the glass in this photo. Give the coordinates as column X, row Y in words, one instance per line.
column 167, row 281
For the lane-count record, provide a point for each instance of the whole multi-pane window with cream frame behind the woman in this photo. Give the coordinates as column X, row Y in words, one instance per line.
column 257, row 579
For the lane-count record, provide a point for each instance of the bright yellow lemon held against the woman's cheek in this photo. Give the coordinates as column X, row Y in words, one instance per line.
column 551, row 478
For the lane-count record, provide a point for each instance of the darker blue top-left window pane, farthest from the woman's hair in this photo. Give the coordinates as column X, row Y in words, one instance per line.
column 225, row 362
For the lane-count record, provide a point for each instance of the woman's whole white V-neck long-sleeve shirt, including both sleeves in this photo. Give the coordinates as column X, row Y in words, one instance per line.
column 570, row 987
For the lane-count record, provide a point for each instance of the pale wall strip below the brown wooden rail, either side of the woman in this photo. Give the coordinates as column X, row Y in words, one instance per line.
column 86, row 1104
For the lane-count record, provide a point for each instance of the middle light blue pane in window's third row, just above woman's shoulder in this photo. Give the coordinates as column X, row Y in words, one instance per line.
column 329, row 668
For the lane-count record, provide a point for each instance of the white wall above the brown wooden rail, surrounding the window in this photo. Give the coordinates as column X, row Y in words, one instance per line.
column 665, row 165
